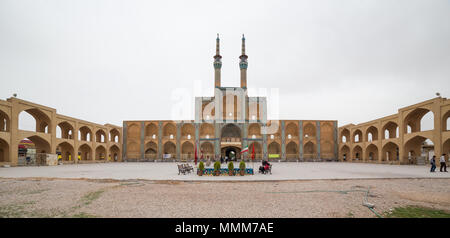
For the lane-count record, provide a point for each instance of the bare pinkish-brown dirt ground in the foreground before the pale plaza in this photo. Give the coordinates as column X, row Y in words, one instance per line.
column 43, row 197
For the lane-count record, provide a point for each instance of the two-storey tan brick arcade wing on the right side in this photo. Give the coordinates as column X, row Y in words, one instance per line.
column 411, row 136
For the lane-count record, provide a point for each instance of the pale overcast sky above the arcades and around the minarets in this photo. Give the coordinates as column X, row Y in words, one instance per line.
column 109, row 61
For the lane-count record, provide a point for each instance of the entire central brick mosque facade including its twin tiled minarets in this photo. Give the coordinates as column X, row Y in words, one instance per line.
column 227, row 123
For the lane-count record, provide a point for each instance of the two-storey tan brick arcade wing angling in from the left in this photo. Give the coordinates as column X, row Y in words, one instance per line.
column 72, row 139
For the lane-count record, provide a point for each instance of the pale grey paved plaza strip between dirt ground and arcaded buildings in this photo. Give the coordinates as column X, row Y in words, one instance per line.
column 169, row 171
